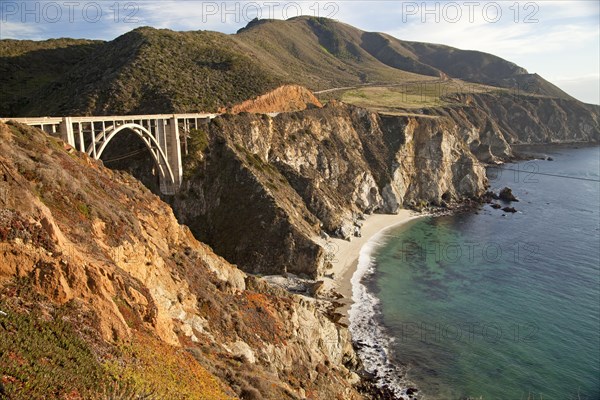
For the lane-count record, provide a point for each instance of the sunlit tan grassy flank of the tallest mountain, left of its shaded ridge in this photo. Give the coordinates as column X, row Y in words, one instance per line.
column 318, row 53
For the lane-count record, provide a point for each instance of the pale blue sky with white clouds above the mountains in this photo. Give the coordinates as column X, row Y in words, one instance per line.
column 559, row 40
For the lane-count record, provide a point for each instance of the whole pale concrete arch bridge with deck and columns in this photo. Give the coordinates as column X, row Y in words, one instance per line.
column 163, row 134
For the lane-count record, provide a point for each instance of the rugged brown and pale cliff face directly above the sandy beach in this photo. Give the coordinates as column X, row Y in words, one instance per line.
column 262, row 188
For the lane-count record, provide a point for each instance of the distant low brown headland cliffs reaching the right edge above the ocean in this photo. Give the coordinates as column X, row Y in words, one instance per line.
column 491, row 123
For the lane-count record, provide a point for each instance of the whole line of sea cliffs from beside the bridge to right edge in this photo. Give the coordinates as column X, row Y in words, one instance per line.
column 293, row 178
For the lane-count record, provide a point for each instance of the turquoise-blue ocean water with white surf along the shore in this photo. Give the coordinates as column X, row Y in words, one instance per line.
column 490, row 304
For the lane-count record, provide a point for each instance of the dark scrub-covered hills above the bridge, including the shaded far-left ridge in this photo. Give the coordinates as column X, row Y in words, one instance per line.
column 144, row 71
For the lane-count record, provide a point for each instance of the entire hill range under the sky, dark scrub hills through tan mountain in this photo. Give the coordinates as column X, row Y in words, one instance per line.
column 155, row 71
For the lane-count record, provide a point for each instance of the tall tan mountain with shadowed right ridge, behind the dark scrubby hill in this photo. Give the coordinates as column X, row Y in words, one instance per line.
column 351, row 56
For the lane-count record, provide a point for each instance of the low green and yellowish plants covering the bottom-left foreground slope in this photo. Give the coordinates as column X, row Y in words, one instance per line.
column 43, row 354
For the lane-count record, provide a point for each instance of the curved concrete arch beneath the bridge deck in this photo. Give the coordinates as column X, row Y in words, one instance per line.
column 102, row 140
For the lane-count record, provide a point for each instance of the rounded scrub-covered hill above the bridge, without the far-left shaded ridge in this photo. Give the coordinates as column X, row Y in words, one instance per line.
column 152, row 71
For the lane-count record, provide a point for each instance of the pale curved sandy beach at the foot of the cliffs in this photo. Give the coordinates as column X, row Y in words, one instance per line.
column 345, row 259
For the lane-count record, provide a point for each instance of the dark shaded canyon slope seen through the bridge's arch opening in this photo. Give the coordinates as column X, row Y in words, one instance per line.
column 127, row 152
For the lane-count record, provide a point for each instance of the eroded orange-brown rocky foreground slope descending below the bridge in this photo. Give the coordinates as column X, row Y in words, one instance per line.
column 90, row 241
